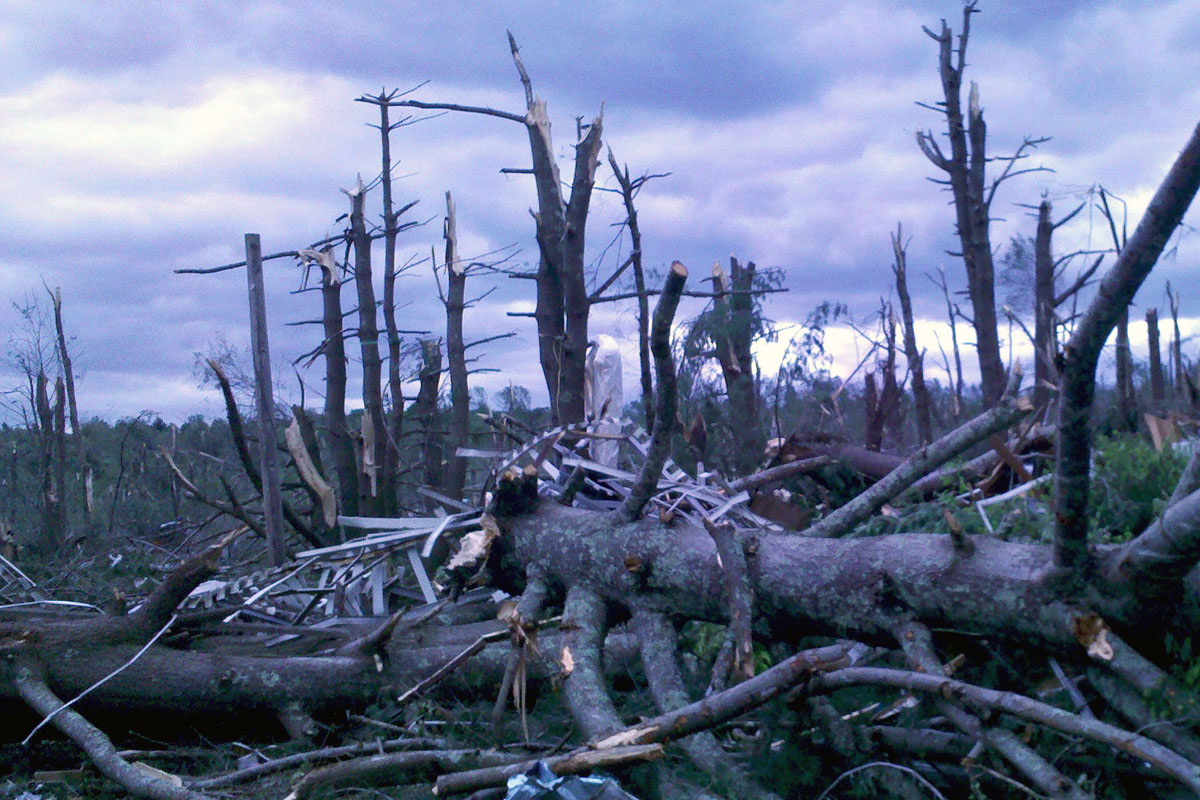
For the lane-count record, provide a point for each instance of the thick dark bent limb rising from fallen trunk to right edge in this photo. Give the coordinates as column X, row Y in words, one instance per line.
column 1082, row 354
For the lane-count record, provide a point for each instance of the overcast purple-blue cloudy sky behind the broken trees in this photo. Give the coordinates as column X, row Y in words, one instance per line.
column 146, row 137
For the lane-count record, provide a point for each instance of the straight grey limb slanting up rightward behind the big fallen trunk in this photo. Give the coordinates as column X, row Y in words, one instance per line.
column 1009, row 411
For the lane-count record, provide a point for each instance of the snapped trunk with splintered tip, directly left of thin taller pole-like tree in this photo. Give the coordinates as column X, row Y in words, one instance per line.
column 377, row 495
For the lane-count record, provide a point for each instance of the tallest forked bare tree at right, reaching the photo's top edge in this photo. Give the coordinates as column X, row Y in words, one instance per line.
column 967, row 178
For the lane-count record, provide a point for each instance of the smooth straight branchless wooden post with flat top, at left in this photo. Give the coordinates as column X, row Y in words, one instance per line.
column 265, row 400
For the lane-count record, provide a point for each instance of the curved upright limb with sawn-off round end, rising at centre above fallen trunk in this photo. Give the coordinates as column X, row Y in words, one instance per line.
column 665, row 398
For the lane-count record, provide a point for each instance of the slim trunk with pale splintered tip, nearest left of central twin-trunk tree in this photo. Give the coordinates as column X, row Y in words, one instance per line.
column 457, row 357
